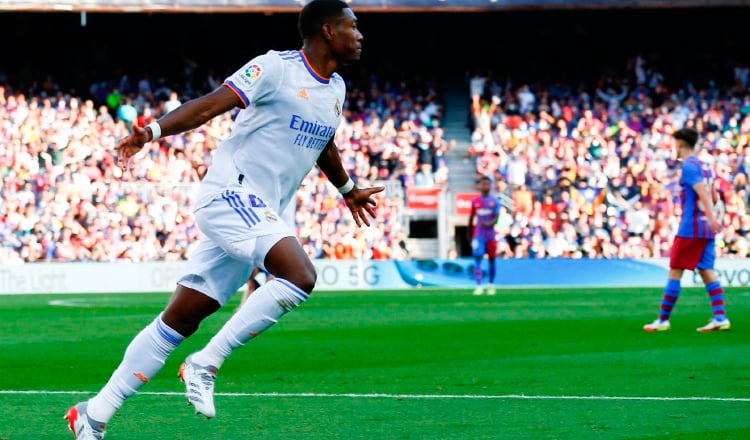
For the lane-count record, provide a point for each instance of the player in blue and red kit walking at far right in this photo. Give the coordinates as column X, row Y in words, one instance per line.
column 694, row 246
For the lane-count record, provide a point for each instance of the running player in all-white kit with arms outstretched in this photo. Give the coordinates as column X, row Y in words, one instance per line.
column 292, row 103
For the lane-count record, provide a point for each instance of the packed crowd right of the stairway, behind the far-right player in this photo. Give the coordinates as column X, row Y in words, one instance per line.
column 589, row 172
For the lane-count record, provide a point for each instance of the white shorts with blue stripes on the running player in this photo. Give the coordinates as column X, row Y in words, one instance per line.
column 238, row 231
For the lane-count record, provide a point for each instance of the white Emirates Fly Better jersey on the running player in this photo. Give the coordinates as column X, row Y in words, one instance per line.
column 290, row 114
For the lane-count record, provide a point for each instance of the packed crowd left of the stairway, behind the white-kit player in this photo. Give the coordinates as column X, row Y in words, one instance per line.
column 64, row 198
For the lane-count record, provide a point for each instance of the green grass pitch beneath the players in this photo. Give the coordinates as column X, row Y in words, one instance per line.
column 412, row 364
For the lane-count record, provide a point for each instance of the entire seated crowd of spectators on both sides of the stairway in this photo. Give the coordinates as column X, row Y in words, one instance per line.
column 585, row 171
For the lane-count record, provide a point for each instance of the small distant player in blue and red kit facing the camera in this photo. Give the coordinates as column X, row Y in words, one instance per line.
column 485, row 210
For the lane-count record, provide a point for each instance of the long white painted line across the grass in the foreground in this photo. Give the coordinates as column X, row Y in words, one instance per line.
column 414, row 396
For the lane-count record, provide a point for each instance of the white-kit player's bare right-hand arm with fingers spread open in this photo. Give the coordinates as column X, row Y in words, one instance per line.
column 359, row 200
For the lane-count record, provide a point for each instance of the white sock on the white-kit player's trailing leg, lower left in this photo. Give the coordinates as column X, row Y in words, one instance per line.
column 143, row 358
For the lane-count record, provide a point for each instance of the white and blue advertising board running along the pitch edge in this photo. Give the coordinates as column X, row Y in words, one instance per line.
column 344, row 275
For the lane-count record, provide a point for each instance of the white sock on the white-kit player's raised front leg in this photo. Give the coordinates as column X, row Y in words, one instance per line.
column 261, row 310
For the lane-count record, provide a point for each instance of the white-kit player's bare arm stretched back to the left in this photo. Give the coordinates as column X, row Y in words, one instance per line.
column 188, row 116
